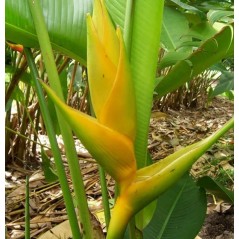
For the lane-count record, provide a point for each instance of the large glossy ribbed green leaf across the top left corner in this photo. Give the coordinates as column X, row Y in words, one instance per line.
column 66, row 23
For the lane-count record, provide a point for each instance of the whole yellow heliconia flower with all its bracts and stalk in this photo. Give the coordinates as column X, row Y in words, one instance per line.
column 110, row 136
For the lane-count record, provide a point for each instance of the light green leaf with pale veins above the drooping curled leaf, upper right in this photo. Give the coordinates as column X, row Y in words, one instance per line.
column 176, row 37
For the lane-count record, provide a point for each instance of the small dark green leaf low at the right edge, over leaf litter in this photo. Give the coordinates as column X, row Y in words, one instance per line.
column 216, row 188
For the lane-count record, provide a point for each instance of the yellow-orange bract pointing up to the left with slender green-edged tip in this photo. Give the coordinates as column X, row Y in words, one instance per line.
column 113, row 151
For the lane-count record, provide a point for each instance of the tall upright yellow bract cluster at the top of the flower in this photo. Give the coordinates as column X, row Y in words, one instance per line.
column 110, row 81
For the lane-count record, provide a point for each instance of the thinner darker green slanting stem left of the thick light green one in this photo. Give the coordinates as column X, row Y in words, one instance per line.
column 55, row 150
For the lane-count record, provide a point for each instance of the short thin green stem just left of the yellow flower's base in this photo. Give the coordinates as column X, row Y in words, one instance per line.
column 104, row 192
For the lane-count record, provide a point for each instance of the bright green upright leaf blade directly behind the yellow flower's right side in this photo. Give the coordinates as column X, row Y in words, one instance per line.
column 147, row 19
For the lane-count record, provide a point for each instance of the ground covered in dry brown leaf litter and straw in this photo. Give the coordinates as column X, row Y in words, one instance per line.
column 168, row 132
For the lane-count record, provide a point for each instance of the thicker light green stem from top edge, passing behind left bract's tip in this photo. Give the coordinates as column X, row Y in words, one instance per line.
column 66, row 132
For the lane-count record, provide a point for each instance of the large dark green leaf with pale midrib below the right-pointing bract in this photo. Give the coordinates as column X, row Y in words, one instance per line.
column 180, row 212
